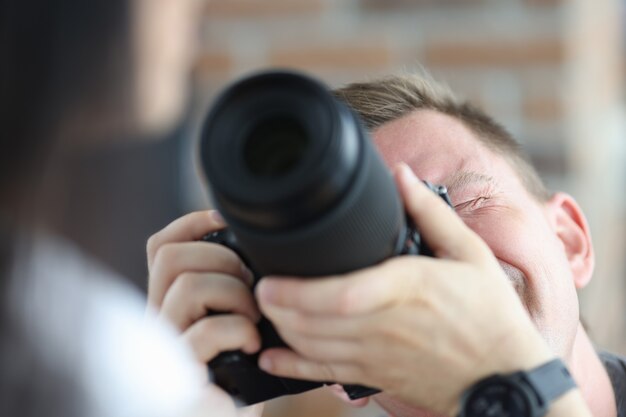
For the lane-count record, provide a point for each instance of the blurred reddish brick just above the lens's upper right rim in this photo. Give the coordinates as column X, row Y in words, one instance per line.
column 333, row 57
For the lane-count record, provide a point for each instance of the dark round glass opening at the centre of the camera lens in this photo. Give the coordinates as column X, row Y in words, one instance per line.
column 274, row 146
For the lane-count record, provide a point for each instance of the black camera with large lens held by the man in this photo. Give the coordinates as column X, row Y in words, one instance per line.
column 304, row 192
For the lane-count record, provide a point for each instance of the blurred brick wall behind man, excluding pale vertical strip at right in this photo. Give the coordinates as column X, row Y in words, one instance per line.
column 509, row 56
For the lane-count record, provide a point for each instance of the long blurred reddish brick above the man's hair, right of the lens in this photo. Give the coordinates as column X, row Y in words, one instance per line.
column 495, row 53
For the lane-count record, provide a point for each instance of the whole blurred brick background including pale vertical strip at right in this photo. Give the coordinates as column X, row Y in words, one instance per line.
column 549, row 70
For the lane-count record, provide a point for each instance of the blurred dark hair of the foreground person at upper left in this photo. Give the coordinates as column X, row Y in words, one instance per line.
column 55, row 55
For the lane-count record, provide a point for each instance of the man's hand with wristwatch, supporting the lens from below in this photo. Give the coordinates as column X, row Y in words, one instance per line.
column 422, row 329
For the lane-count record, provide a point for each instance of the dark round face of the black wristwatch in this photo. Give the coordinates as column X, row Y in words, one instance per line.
column 497, row 398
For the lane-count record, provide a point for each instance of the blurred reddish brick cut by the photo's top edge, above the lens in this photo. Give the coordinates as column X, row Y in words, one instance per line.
column 256, row 8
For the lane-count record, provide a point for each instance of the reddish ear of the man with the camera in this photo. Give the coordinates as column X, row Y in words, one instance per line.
column 572, row 229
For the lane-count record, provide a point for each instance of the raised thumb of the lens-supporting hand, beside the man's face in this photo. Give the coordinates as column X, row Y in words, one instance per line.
column 444, row 232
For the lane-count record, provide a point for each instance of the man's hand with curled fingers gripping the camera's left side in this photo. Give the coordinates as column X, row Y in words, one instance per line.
column 190, row 278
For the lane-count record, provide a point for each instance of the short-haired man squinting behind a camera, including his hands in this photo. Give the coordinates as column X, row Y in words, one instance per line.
column 370, row 326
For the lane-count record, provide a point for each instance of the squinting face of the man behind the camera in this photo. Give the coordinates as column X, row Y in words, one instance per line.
column 490, row 198
